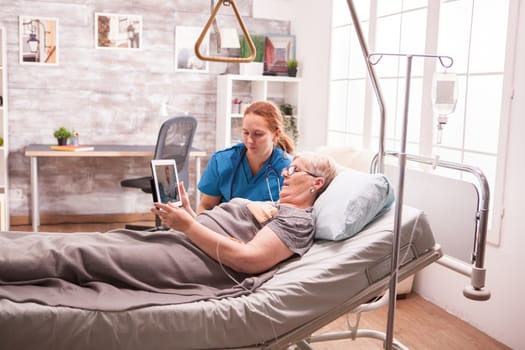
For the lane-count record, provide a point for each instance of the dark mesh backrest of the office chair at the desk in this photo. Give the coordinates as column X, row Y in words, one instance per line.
column 174, row 142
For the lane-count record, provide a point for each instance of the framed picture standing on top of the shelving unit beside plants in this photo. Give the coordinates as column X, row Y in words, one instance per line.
column 278, row 50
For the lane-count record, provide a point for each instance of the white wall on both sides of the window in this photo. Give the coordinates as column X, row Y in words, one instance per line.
column 503, row 315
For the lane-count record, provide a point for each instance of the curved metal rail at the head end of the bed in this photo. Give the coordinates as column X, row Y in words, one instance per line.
column 476, row 271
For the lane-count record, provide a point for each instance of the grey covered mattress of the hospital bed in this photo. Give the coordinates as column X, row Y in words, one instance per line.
column 329, row 275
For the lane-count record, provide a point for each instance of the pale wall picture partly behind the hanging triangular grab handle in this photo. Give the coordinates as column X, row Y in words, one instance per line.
column 185, row 58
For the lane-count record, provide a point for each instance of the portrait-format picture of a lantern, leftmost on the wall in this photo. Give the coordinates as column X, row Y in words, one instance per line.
column 38, row 40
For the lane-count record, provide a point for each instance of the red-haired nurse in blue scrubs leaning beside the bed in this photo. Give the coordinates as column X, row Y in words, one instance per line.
column 251, row 169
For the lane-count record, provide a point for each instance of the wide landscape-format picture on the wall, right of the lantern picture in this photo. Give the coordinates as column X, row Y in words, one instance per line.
column 116, row 31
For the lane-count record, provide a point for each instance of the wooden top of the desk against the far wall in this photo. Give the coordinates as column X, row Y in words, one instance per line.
column 44, row 150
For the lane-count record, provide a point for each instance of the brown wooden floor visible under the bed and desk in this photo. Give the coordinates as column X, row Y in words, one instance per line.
column 419, row 324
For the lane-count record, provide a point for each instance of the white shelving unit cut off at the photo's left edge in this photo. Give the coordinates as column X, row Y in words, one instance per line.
column 4, row 149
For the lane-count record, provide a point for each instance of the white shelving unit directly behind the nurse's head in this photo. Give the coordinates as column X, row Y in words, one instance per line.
column 248, row 88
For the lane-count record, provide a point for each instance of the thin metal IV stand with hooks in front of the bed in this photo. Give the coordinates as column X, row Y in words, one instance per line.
column 374, row 59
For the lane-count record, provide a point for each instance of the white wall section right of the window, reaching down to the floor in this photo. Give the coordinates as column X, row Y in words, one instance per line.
column 503, row 315
